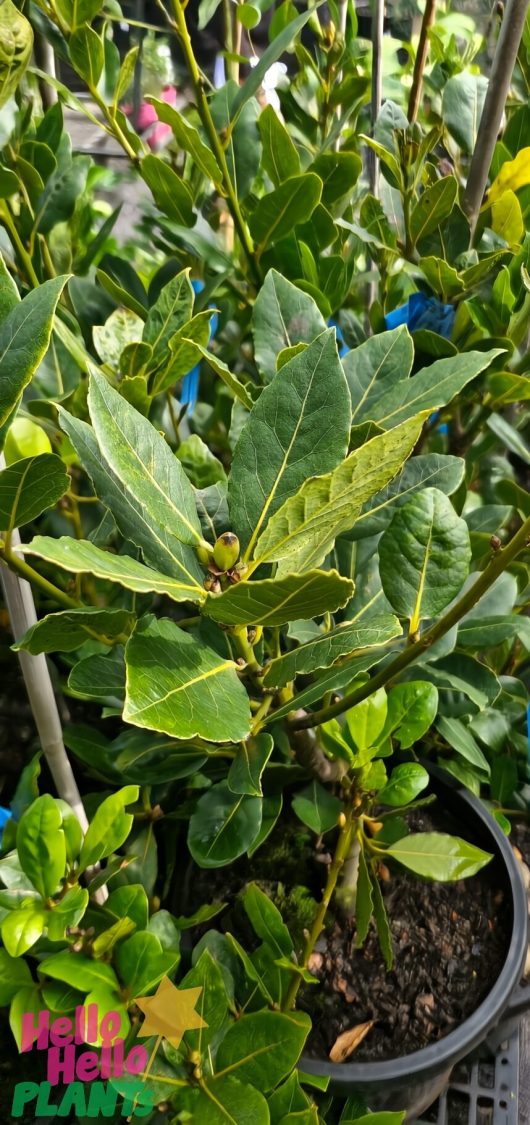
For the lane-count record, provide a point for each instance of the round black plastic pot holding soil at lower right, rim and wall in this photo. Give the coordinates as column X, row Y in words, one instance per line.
column 414, row 1082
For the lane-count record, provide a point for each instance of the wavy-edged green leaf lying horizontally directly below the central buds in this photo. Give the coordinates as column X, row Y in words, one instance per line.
column 276, row 601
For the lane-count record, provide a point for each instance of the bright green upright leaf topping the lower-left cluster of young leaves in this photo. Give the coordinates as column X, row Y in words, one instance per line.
column 41, row 845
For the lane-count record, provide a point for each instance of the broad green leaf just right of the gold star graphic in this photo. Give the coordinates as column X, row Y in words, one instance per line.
column 263, row 1048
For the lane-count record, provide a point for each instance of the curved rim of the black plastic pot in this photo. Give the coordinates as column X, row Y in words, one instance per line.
column 447, row 1051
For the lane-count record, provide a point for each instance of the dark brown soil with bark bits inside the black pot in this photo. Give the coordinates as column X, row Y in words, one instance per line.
column 450, row 941
